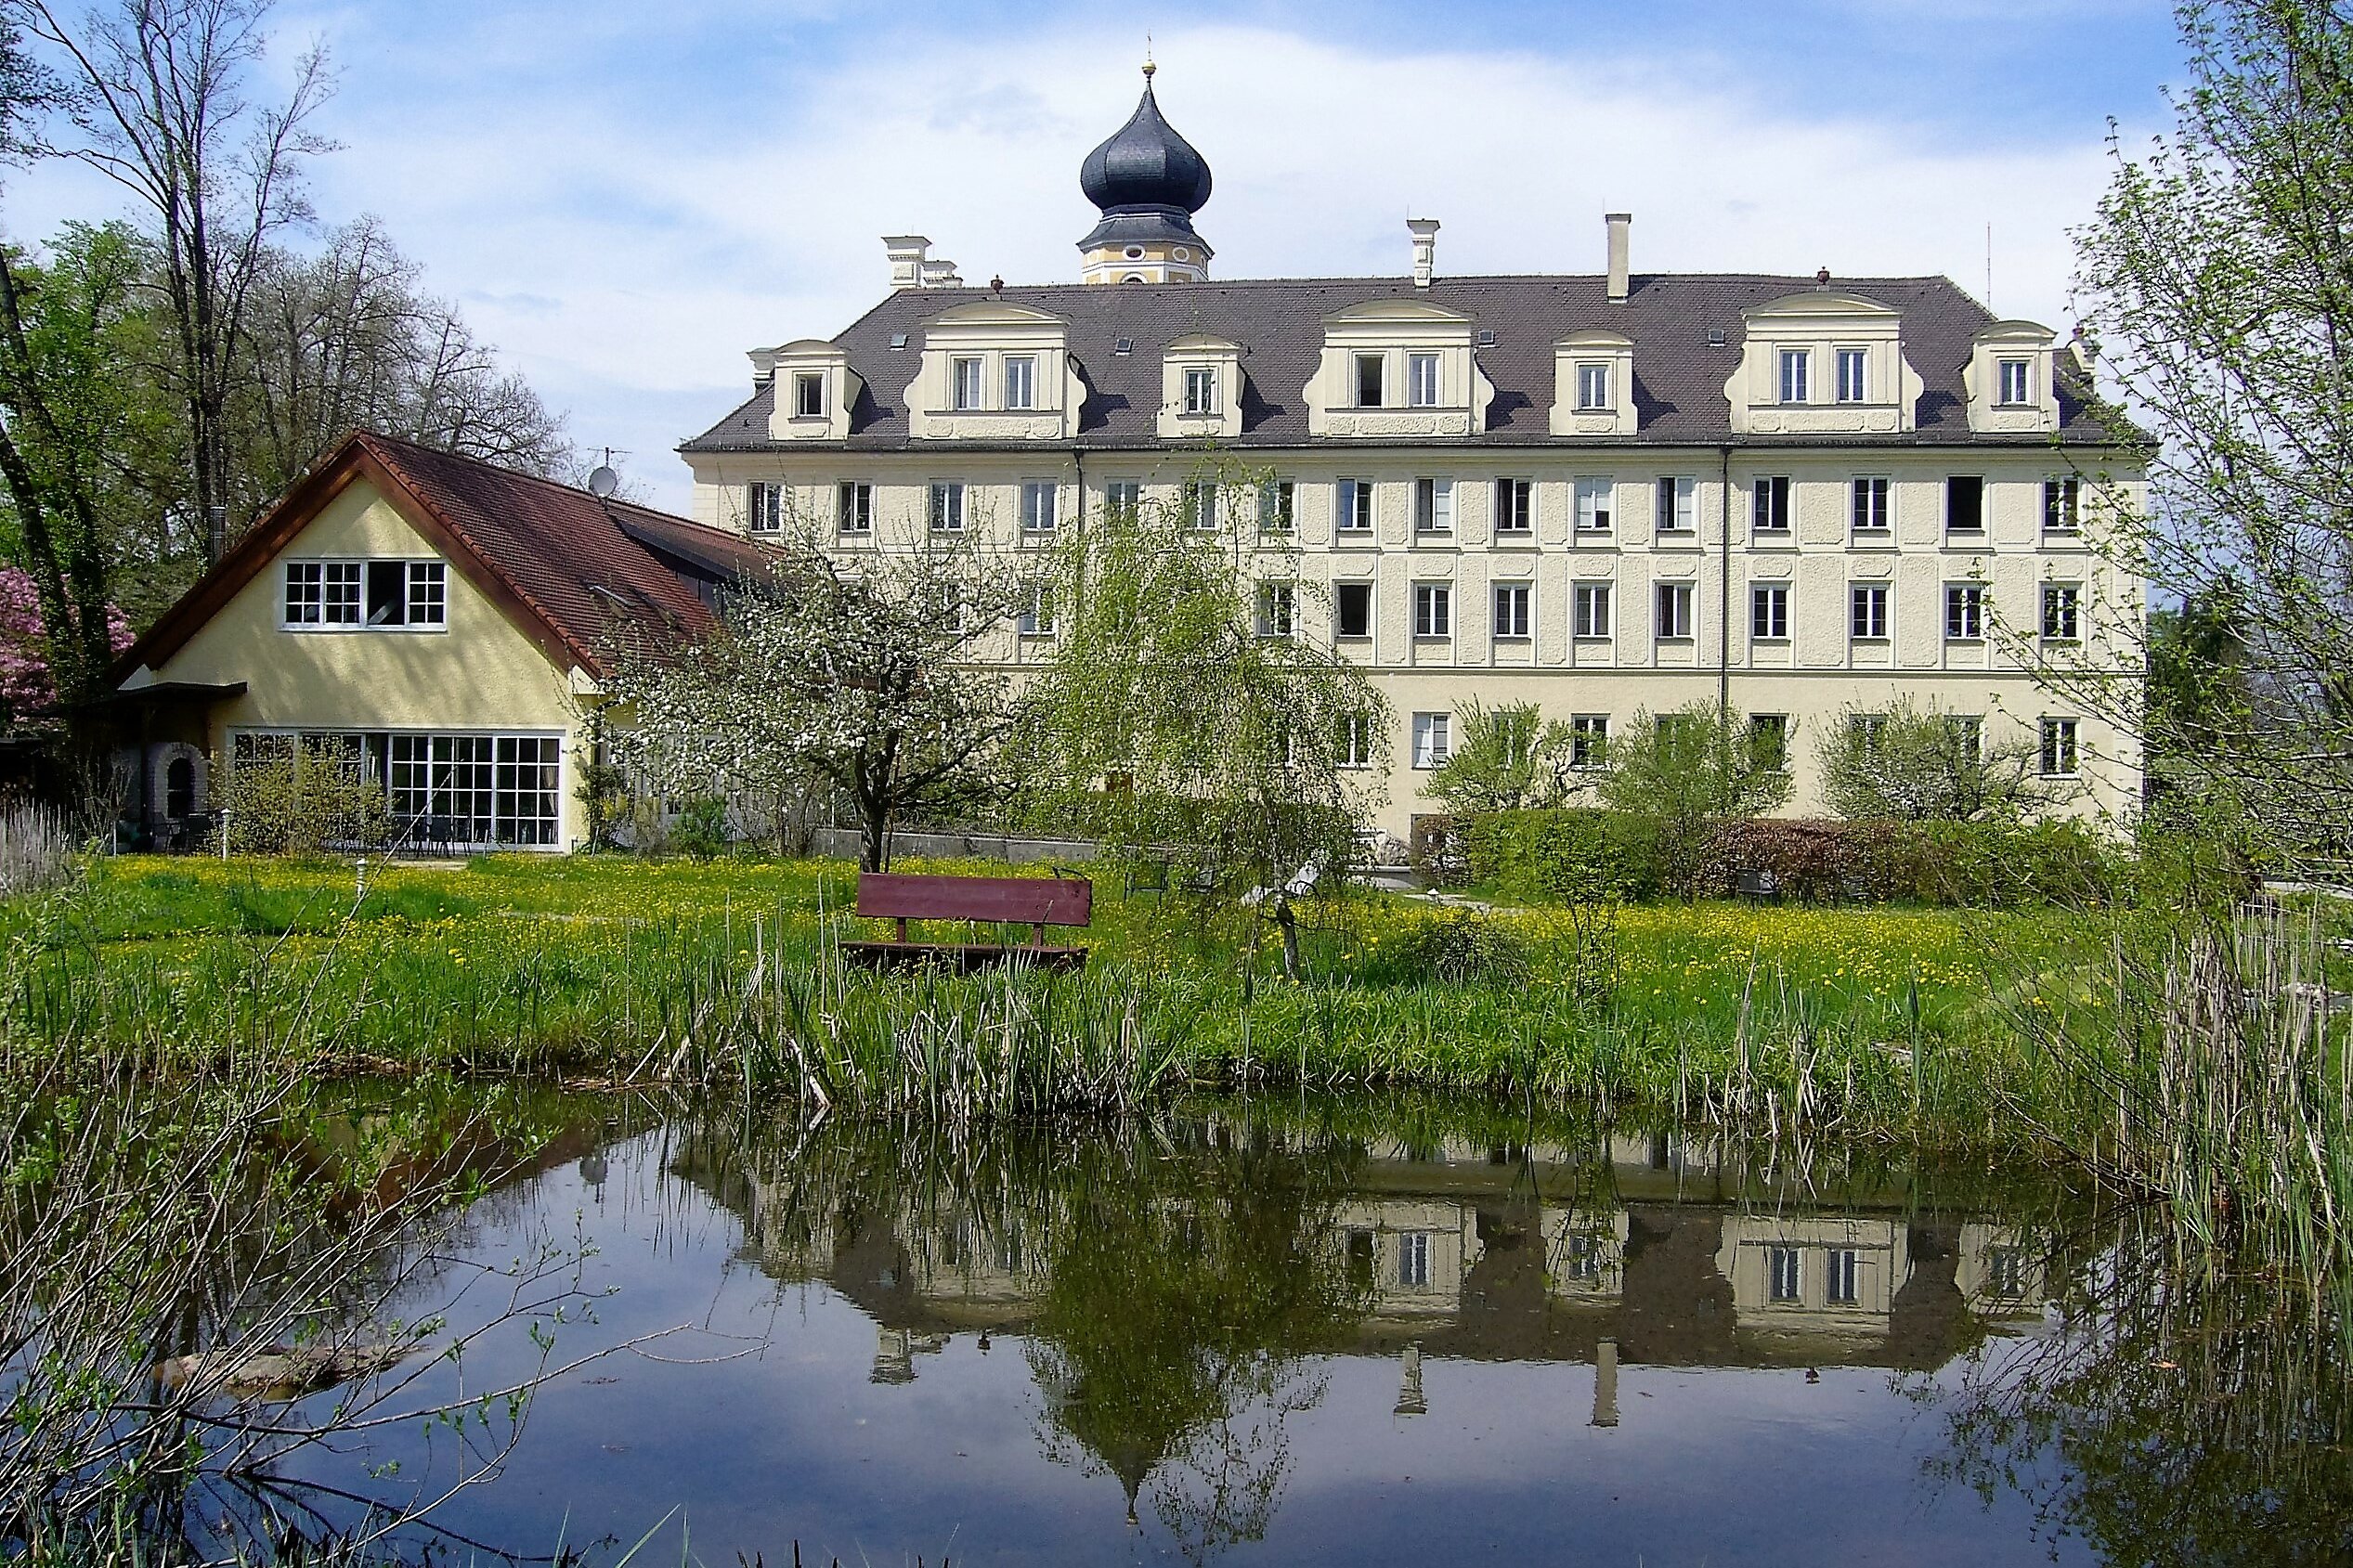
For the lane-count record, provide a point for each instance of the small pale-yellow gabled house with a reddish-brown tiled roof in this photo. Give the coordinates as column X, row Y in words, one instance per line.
column 441, row 622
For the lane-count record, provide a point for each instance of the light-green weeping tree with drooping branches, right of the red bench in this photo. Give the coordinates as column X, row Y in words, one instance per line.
column 1192, row 706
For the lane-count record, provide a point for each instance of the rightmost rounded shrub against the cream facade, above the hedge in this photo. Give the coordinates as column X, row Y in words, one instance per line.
column 1917, row 765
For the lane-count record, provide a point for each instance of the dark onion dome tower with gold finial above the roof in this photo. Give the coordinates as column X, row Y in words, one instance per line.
column 1147, row 182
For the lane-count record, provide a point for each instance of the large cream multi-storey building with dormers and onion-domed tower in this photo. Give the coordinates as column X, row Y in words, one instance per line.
column 1611, row 492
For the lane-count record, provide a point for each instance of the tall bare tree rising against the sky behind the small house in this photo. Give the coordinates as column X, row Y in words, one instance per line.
column 159, row 107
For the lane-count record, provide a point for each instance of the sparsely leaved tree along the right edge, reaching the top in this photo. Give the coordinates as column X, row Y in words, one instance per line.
column 2218, row 297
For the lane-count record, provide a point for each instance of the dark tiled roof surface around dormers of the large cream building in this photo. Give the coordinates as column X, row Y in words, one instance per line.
column 1279, row 323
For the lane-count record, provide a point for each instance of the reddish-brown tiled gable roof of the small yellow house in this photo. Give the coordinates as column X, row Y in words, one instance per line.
column 568, row 568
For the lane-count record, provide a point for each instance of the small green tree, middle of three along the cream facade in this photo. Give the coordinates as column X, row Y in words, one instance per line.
column 1691, row 770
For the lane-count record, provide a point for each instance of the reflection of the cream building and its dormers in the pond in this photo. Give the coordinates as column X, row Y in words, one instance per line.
column 1672, row 1252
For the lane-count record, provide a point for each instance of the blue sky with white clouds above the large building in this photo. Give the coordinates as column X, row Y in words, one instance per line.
column 629, row 196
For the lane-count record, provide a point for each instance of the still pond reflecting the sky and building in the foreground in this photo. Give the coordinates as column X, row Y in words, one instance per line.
column 1326, row 1334
